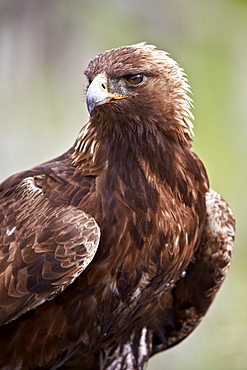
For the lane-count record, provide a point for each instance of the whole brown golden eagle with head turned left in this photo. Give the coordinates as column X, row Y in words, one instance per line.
column 115, row 250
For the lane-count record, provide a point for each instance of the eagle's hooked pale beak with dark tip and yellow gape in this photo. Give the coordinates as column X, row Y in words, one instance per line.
column 98, row 94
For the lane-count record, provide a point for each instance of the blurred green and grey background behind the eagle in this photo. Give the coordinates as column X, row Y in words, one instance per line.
column 44, row 48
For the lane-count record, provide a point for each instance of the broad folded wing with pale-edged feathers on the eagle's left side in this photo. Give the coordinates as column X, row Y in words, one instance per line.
column 43, row 248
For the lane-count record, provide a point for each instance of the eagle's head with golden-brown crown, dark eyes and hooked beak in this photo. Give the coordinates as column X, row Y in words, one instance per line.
column 142, row 83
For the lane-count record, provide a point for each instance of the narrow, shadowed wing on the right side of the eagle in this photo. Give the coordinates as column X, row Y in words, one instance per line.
column 196, row 289
